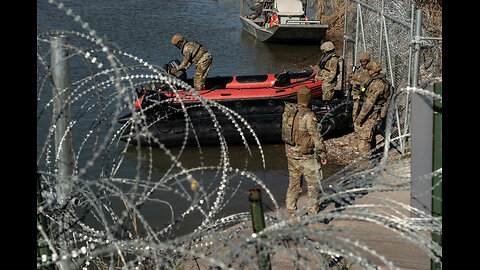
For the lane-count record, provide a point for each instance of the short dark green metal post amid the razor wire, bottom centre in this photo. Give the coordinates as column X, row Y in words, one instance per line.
column 258, row 224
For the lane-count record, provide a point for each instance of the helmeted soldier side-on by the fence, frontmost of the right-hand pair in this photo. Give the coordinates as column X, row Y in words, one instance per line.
column 374, row 102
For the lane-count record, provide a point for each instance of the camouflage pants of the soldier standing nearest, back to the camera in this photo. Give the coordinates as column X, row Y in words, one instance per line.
column 306, row 168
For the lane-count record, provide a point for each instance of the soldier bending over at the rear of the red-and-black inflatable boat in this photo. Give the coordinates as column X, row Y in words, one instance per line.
column 193, row 52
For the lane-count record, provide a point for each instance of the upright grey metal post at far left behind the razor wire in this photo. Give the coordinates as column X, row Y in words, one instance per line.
column 62, row 115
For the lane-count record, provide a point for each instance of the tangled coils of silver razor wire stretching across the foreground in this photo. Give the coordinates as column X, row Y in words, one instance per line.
column 102, row 223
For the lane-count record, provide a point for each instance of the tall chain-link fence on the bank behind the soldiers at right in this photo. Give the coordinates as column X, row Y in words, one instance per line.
column 386, row 30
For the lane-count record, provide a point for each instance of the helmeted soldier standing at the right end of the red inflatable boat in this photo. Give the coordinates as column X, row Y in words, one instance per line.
column 328, row 70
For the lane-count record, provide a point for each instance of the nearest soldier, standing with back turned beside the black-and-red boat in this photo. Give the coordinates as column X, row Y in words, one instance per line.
column 299, row 132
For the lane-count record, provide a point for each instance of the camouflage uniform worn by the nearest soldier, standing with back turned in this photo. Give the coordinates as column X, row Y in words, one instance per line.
column 301, row 160
